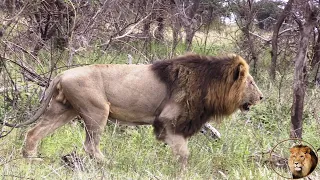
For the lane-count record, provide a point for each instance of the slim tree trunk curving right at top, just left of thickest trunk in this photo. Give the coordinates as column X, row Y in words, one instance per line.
column 274, row 50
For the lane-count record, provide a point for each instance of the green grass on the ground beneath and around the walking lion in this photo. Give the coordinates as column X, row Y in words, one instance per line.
column 133, row 153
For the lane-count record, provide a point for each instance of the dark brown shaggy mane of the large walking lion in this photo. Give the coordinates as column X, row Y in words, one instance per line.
column 189, row 80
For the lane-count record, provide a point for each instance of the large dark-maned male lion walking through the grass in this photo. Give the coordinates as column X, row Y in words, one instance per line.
column 175, row 96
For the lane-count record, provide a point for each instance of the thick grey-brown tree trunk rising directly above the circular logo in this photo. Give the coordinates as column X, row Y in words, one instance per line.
column 300, row 74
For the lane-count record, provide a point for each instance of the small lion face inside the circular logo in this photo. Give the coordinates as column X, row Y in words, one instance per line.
column 302, row 161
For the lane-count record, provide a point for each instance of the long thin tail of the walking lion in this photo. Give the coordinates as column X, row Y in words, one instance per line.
column 48, row 95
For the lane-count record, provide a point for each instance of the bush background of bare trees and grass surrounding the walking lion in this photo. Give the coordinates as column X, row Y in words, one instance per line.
column 280, row 40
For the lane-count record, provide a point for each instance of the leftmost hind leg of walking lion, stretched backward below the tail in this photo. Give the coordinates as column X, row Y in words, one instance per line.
column 56, row 115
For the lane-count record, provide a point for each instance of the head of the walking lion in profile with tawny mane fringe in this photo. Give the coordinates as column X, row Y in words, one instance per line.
column 236, row 89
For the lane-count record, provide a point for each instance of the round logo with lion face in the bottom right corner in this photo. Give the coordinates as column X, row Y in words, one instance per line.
column 293, row 158
